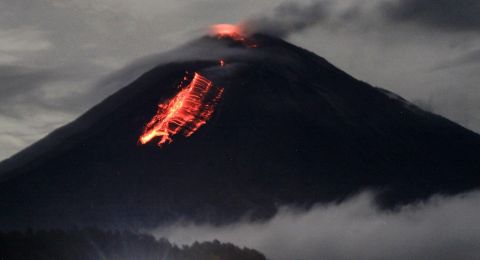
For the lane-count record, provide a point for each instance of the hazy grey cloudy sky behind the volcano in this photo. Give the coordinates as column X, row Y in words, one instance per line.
column 54, row 53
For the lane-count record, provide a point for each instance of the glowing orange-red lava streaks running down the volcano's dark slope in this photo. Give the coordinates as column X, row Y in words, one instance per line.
column 185, row 113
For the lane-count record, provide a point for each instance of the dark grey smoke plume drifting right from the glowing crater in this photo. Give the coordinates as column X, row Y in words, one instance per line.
column 288, row 18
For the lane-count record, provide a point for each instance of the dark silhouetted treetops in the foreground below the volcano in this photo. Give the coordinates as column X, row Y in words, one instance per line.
column 92, row 244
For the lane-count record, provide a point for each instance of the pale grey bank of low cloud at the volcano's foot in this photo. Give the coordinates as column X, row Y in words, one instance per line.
column 440, row 228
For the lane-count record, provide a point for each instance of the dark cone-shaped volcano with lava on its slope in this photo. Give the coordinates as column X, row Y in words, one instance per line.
column 288, row 128
